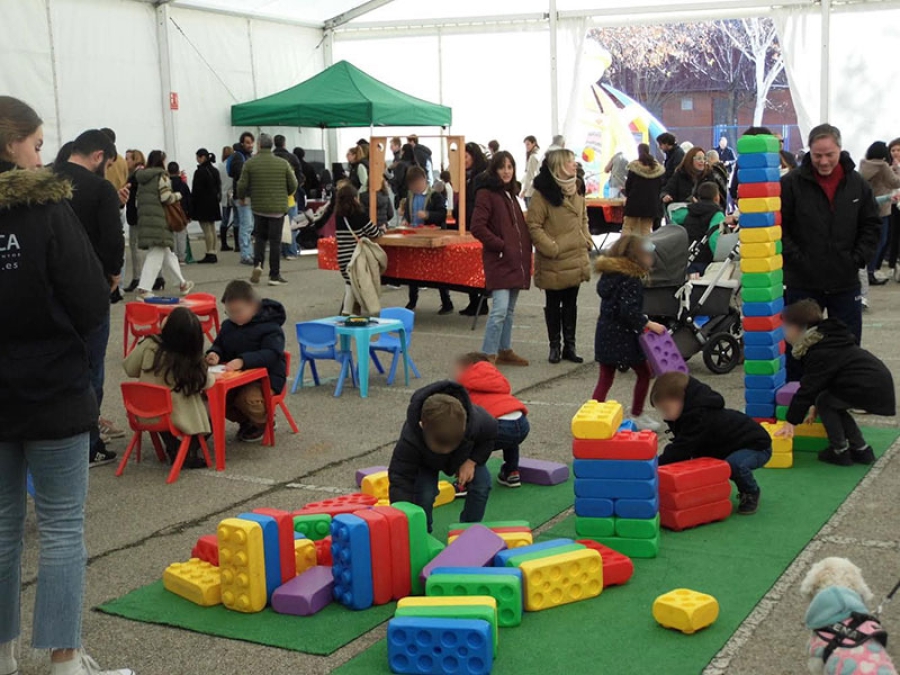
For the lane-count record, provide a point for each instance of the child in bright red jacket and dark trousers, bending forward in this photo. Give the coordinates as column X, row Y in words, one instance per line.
column 488, row 388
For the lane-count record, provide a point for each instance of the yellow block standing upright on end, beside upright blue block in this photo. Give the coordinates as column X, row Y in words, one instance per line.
column 242, row 562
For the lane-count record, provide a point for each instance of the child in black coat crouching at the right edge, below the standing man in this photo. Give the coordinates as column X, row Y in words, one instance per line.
column 838, row 375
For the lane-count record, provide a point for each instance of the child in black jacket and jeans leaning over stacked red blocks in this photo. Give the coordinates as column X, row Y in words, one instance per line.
column 704, row 427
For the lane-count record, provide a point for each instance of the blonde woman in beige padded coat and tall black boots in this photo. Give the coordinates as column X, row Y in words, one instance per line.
column 557, row 220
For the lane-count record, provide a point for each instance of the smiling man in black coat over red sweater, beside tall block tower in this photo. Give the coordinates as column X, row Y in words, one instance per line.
column 830, row 229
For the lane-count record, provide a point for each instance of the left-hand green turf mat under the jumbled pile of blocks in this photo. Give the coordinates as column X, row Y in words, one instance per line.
column 334, row 626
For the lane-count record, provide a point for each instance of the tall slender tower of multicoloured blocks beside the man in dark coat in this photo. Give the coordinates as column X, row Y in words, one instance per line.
column 759, row 201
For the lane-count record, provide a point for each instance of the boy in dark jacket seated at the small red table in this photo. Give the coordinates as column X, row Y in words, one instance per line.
column 251, row 337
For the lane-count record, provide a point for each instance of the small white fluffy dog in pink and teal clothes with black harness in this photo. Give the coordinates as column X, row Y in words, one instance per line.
column 846, row 639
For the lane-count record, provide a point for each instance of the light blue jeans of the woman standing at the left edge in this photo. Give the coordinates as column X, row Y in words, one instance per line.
column 59, row 470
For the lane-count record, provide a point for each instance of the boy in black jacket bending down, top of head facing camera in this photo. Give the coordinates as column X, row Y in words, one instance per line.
column 444, row 431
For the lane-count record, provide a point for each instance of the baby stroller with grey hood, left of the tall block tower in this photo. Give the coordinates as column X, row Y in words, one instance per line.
column 701, row 314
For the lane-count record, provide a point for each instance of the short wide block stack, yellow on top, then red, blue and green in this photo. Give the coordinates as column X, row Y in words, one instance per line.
column 616, row 481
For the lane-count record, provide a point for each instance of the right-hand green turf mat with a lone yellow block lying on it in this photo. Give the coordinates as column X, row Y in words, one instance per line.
column 737, row 561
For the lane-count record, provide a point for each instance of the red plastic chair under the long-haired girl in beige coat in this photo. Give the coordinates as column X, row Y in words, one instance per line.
column 149, row 408
